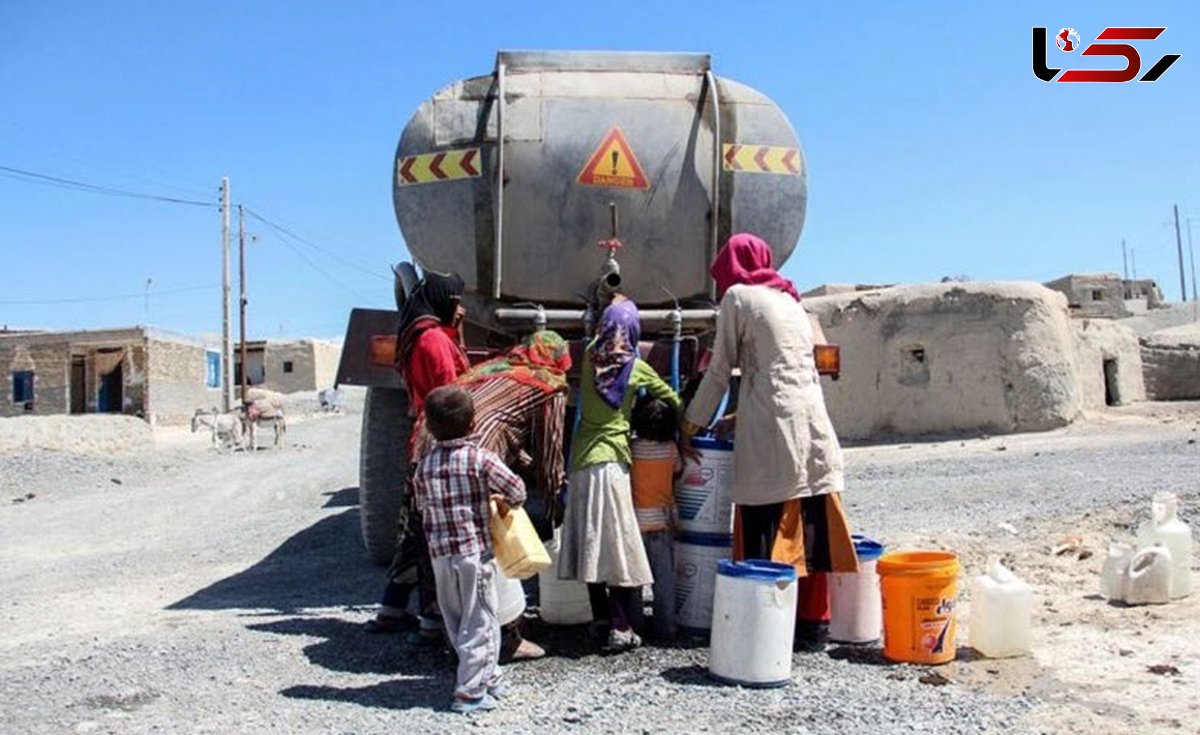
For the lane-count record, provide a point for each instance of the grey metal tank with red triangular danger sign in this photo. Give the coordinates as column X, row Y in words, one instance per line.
column 512, row 178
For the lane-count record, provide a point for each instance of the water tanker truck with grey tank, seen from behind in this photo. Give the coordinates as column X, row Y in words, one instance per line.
column 514, row 178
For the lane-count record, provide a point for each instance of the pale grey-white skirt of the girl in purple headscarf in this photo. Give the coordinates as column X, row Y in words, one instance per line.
column 602, row 542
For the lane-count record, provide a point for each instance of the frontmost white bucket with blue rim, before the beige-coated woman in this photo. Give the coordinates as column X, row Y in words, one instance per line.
column 754, row 624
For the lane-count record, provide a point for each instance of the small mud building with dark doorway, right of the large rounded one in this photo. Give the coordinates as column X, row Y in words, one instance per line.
column 1108, row 362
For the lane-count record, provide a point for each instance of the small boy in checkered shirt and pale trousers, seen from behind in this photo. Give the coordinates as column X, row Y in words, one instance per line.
column 453, row 487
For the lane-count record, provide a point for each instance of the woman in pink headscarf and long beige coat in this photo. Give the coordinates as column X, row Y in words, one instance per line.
column 788, row 467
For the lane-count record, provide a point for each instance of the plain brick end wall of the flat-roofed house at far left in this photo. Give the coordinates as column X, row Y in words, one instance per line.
column 177, row 374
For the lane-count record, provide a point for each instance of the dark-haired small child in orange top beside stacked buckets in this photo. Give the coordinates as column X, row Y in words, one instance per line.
column 656, row 467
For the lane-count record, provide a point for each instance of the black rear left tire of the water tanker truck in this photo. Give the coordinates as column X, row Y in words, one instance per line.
column 383, row 470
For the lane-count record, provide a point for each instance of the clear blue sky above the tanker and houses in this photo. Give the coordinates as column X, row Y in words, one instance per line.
column 933, row 151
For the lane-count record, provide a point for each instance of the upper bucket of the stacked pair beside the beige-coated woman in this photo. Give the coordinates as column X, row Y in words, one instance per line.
column 705, row 492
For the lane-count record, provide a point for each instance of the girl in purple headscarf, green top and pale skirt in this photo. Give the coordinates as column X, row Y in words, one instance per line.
column 602, row 545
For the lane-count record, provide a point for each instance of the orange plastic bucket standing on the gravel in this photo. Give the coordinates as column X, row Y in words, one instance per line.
column 920, row 590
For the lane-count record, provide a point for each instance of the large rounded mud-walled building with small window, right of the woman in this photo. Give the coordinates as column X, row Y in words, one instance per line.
column 949, row 358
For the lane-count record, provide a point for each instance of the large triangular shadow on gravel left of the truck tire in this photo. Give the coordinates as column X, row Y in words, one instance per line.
column 320, row 567
